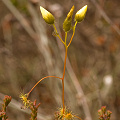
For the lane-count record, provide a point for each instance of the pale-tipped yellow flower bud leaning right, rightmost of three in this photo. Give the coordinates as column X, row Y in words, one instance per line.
column 80, row 15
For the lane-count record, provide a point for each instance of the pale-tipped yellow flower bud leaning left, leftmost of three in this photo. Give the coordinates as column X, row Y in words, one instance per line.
column 47, row 16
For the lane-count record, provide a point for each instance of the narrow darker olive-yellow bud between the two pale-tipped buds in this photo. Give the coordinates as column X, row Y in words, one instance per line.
column 68, row 21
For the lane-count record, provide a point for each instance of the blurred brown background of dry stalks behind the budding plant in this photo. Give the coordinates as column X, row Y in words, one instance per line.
column 30, row 51
